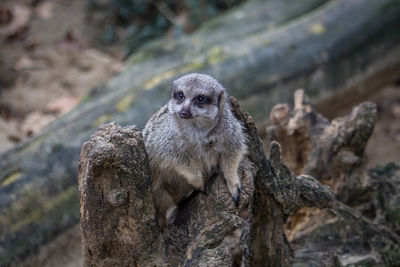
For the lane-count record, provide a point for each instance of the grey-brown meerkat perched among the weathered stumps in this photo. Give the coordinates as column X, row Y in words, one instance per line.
column 189, row 139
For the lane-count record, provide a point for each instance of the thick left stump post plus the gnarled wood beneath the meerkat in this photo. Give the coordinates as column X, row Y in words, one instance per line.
column 117, row 213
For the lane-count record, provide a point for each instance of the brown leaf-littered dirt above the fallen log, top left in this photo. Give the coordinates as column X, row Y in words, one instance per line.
column 48, row 62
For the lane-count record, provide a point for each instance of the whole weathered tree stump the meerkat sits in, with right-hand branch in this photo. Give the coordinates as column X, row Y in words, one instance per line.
column 117, row 214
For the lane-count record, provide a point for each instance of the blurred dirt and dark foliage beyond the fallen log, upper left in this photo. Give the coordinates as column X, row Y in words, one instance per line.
column 54, row 52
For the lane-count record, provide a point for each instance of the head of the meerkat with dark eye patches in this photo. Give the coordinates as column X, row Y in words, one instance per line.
column 196, row 97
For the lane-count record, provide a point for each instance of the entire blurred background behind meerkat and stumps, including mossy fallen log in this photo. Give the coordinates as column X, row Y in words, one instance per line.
column 68, row 66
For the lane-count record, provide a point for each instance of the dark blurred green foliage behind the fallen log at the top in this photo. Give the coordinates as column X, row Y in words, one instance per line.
column 133, row 22
